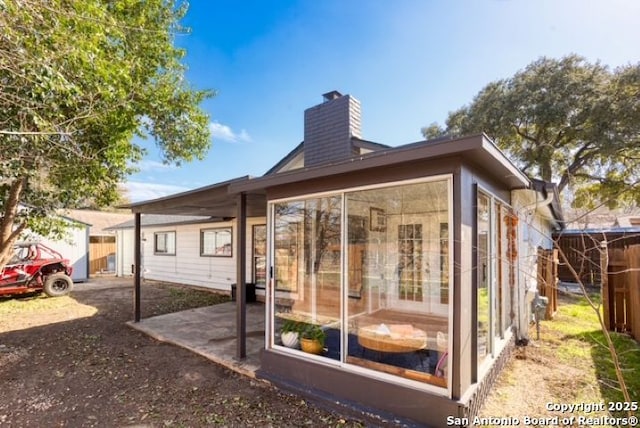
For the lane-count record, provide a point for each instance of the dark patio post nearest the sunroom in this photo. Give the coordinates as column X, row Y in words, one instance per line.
column 241, row 292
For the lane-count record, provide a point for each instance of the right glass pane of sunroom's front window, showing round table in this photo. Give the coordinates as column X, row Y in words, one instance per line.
column 400, row 325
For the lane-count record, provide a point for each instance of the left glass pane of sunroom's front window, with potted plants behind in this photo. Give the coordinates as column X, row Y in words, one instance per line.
column 307, row 261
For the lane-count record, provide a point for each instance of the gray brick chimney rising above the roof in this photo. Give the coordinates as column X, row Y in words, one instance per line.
column 328, row 128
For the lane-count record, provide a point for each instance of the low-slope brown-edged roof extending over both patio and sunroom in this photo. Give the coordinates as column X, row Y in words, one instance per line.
column 221, row 199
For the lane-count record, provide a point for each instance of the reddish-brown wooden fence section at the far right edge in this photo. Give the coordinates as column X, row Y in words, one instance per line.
column 621, row 291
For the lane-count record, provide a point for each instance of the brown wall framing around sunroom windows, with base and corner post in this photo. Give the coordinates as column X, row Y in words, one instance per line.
column 465, row 378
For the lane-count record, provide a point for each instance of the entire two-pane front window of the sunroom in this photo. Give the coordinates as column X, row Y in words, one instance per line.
column 370, row 270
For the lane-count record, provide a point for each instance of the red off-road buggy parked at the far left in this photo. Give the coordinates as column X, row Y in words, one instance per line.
column 36, row 267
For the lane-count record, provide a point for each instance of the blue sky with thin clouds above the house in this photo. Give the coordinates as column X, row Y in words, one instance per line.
column 408, row 62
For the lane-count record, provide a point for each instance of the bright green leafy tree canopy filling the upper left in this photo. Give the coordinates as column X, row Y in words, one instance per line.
column 78, row 80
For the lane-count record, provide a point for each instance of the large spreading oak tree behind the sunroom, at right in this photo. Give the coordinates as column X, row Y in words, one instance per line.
column 563, row 120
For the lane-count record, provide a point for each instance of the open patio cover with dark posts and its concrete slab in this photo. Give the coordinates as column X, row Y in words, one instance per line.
column 217, row 201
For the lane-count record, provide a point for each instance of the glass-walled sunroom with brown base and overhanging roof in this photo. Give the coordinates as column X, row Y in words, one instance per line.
column 403, row 265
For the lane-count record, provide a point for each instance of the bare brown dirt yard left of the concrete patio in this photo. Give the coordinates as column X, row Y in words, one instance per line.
column 84, row 367
